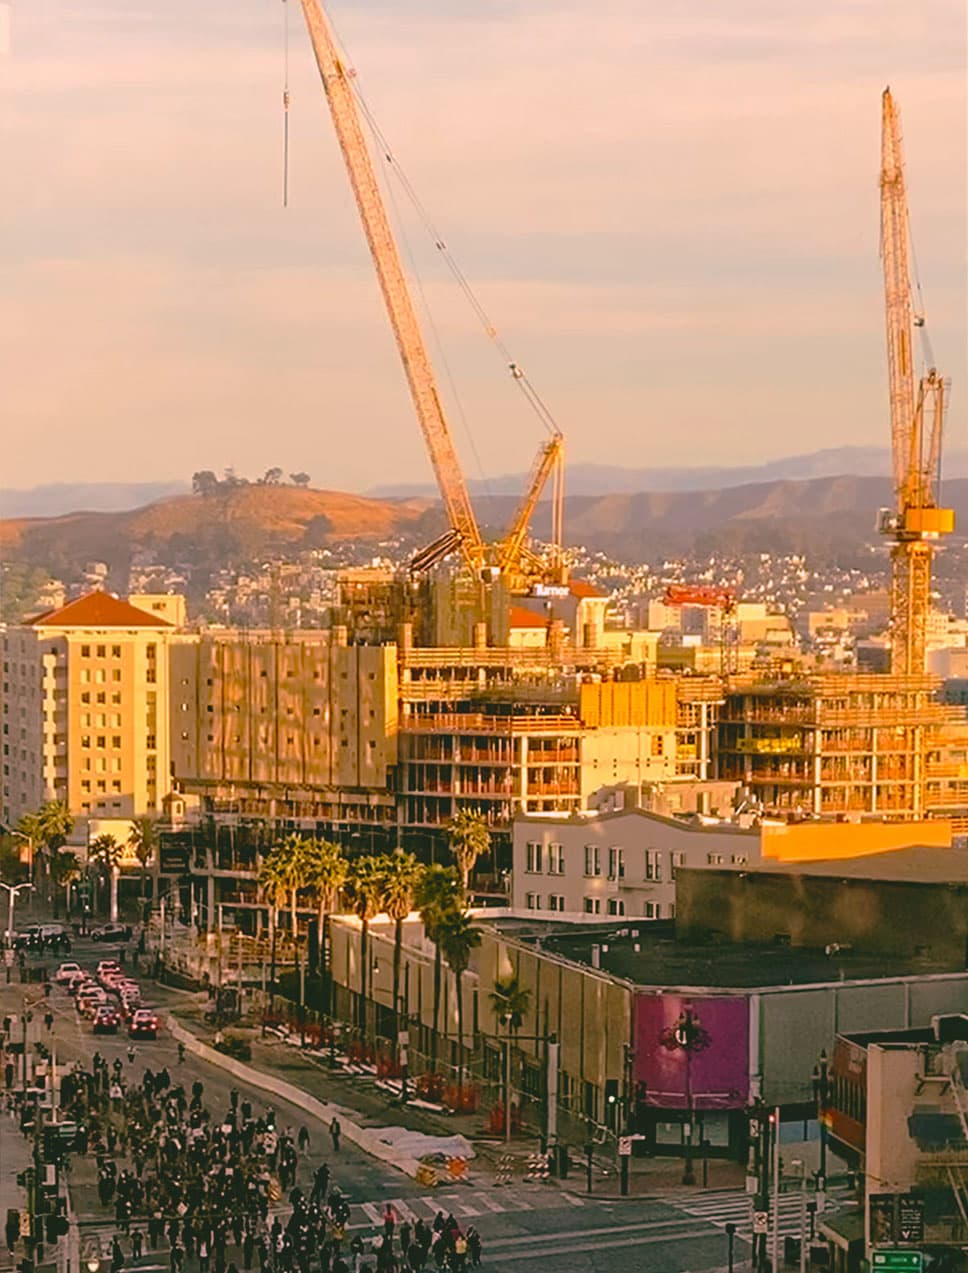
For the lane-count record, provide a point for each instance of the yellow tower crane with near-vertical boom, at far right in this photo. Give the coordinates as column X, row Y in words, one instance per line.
column 916, row 422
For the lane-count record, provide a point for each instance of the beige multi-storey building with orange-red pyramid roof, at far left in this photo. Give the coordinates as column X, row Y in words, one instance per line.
column 86, row 711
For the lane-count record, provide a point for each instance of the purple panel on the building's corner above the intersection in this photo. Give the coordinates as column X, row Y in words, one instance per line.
column 692, row 1051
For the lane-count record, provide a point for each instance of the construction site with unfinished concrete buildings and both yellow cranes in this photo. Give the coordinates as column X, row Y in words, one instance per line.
column 483, row 678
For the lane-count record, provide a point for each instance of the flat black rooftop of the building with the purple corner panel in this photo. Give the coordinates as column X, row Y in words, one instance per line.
column 648, row 954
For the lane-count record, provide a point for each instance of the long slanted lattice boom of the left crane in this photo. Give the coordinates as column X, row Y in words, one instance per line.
column 393, row 285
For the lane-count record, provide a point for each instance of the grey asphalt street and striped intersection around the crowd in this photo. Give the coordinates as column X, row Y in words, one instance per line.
column 522, row 1225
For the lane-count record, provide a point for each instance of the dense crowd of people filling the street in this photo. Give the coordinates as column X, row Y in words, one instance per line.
column 226, row 1191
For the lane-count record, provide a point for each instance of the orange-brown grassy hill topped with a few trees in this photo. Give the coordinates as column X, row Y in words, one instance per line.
column 235, row 526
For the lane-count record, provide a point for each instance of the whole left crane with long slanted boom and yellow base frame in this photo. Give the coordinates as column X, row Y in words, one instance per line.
column 510, row 558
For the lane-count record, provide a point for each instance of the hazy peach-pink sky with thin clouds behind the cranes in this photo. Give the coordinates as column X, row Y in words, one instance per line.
column 669, row 208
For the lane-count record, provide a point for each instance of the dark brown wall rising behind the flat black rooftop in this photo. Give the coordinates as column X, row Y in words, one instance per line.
column 877, row 917
